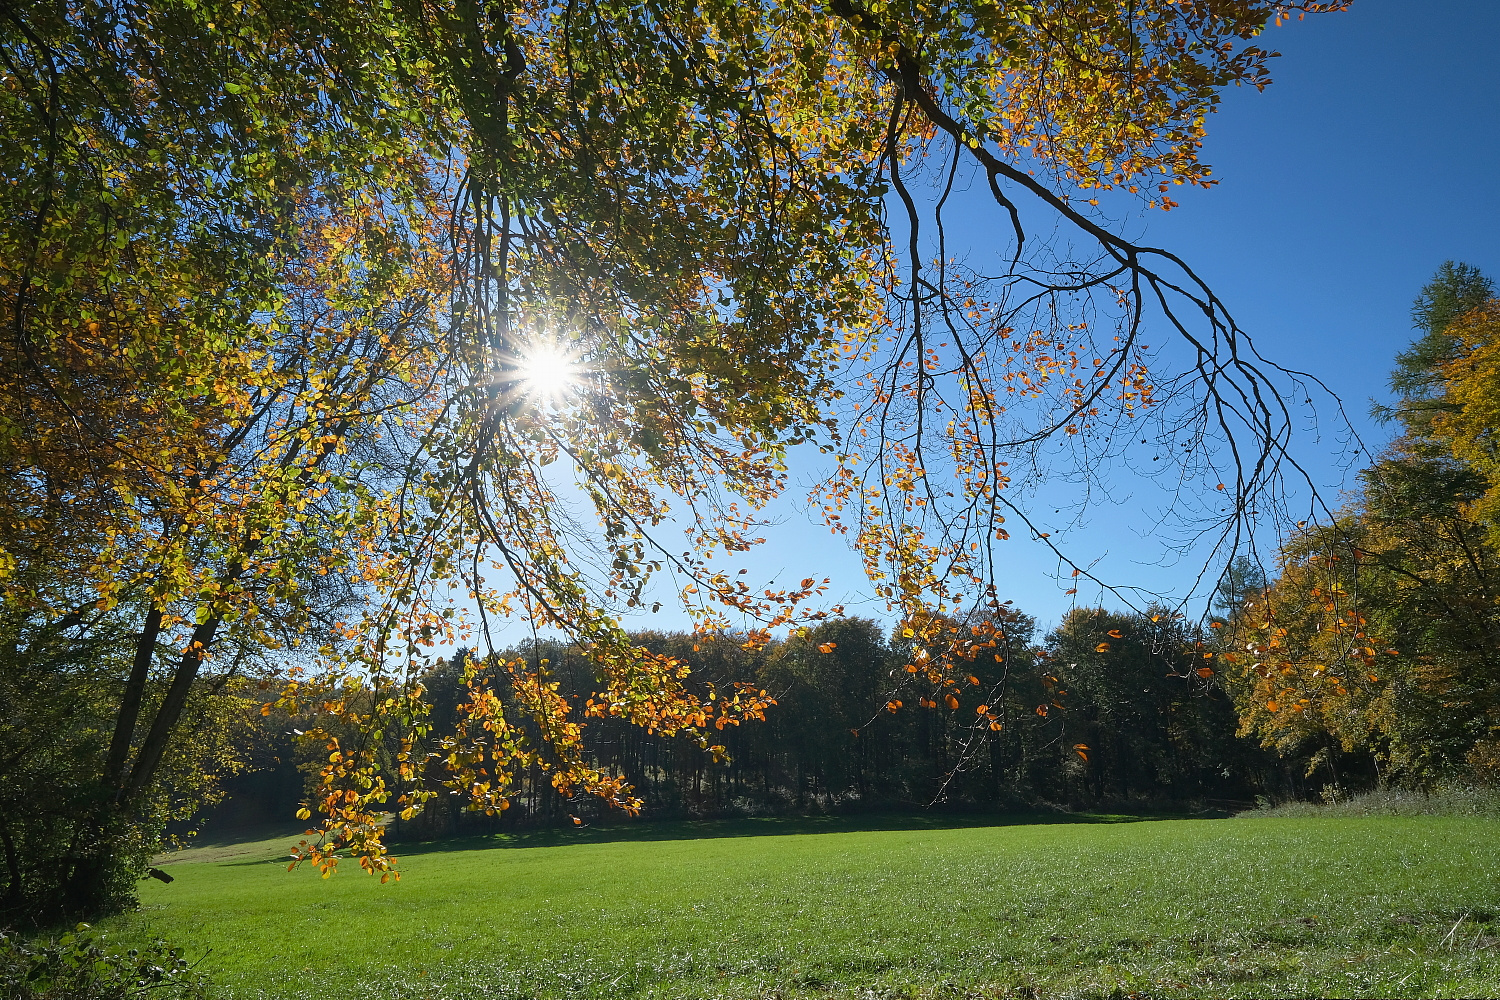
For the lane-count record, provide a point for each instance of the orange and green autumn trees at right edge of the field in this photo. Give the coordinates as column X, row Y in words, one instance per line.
column 1379, row 635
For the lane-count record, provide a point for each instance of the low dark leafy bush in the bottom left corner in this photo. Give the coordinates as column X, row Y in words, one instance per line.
column 77, row 968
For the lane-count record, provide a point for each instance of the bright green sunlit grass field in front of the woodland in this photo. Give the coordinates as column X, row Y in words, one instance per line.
column 1240, row 908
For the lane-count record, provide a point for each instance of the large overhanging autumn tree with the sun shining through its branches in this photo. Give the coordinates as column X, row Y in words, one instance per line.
column 352, row 293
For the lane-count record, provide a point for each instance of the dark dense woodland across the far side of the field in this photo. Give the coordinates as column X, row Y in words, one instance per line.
column 1106, row 711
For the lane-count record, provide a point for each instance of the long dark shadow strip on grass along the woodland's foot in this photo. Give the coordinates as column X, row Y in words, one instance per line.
column 772, row 827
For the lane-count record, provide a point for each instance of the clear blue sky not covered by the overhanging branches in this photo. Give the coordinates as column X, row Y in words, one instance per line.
column 1343, row 187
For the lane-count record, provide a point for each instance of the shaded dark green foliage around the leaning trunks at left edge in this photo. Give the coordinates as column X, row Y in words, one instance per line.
column 59, row 690
